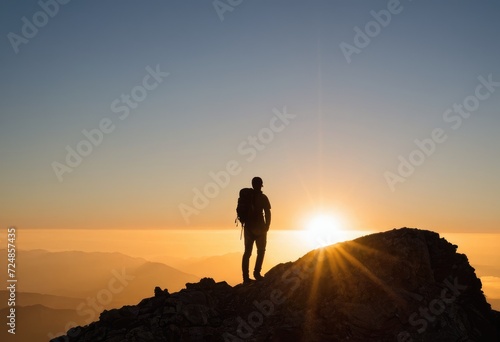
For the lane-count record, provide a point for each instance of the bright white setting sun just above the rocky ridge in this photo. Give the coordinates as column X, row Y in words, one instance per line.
column 324, row 229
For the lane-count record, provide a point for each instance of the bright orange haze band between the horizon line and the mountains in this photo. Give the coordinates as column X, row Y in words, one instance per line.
column 173, row 246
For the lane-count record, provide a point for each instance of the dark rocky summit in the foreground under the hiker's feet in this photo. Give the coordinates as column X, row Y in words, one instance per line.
column 401, row 285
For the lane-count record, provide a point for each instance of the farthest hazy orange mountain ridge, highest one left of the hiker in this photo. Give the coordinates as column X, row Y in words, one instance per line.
column 86, row 274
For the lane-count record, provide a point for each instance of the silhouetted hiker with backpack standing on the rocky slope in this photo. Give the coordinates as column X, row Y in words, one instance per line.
column 254, row 212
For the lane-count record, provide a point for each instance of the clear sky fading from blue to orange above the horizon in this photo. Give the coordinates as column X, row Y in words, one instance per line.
column 227, row 78
